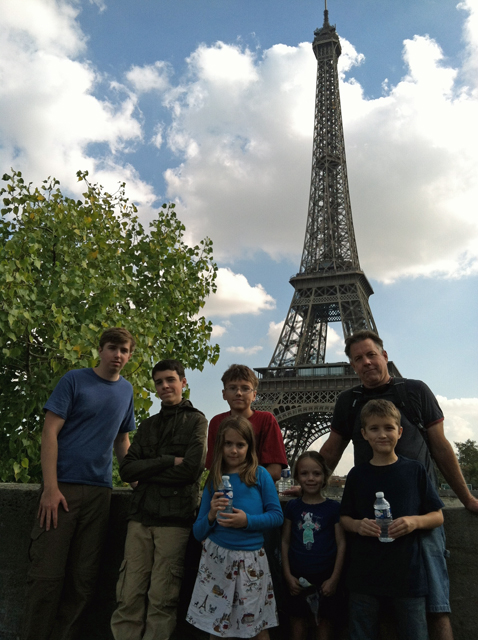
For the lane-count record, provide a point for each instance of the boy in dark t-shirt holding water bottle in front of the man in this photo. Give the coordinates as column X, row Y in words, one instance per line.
column 387, row 571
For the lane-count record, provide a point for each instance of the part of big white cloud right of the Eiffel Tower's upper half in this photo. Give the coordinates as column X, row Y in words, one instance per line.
column 414, row 184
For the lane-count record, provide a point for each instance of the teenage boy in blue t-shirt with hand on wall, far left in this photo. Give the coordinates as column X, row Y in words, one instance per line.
column 89, row 413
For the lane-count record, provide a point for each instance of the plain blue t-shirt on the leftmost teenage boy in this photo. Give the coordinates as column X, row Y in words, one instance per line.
column 95, row 411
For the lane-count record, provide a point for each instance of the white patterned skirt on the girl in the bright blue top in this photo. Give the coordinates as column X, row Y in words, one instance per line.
column 233, row 595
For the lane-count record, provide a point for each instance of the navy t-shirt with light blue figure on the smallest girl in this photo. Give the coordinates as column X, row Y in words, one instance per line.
column 312, row 546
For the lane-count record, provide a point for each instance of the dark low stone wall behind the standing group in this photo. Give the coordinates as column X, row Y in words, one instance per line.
column 17, row 508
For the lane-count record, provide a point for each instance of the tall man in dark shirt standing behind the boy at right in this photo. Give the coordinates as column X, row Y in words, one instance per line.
column 369, row 361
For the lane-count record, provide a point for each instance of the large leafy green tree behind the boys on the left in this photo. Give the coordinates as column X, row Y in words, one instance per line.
column 68, row 270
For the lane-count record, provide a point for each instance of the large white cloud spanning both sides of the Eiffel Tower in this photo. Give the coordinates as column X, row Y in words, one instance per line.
column 412, row 155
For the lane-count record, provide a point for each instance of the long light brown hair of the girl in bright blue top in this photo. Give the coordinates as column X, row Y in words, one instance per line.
column 243, row 427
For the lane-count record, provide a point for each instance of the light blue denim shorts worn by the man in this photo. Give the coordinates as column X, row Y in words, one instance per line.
column 434, row 556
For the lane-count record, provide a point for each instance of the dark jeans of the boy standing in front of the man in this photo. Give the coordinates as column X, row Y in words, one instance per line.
column 364, row 617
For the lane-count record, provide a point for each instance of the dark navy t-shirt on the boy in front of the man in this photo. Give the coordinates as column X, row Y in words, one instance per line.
column 391, row 569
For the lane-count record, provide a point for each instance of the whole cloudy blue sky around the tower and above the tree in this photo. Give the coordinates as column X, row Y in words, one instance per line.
column 210, row 104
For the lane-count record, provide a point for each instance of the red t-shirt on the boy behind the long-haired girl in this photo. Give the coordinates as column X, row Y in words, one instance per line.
column 269, row 442
